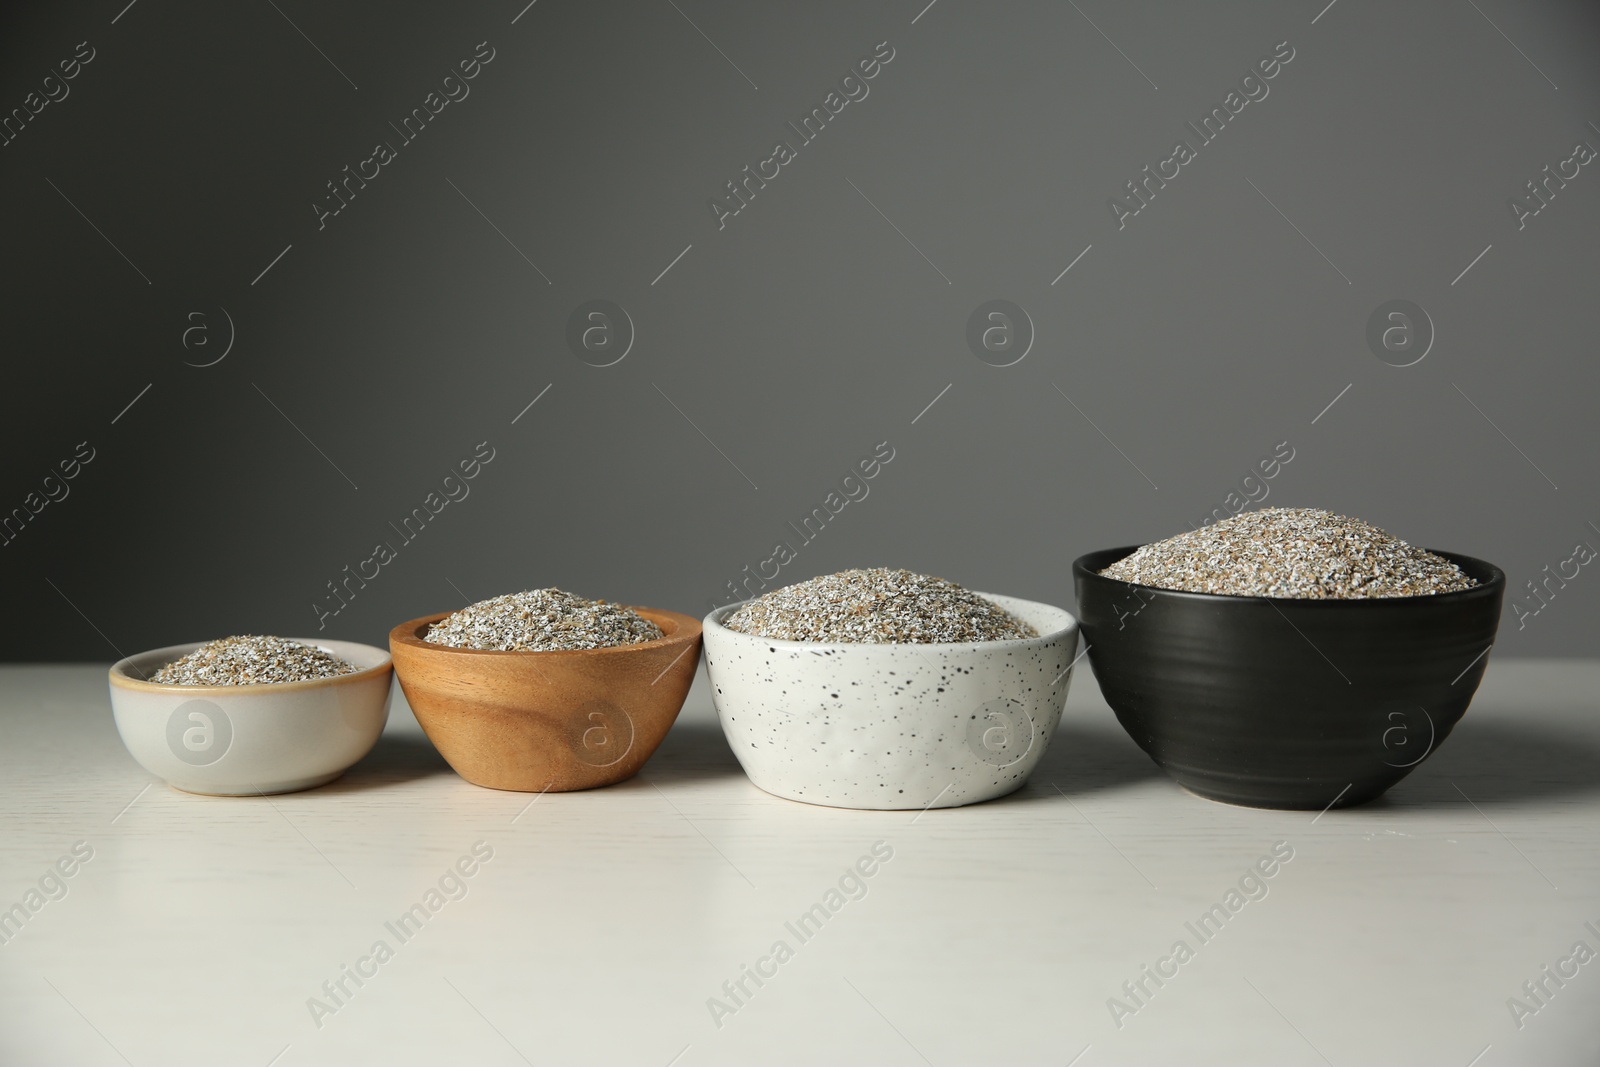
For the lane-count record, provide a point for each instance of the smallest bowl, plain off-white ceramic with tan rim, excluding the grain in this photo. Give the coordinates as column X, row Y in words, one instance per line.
column 250, row 740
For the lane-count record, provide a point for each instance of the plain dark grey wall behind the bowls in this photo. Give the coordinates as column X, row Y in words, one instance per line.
column 377, row 353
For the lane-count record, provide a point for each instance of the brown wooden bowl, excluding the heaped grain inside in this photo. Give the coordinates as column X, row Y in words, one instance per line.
column 548, row 722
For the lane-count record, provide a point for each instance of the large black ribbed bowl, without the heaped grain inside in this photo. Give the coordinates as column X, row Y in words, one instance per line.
column 1287, row 703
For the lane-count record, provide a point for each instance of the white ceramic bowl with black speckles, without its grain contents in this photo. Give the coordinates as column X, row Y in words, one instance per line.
column 892, row 727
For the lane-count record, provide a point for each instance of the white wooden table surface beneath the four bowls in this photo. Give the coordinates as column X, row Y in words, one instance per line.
column 598, row 929
